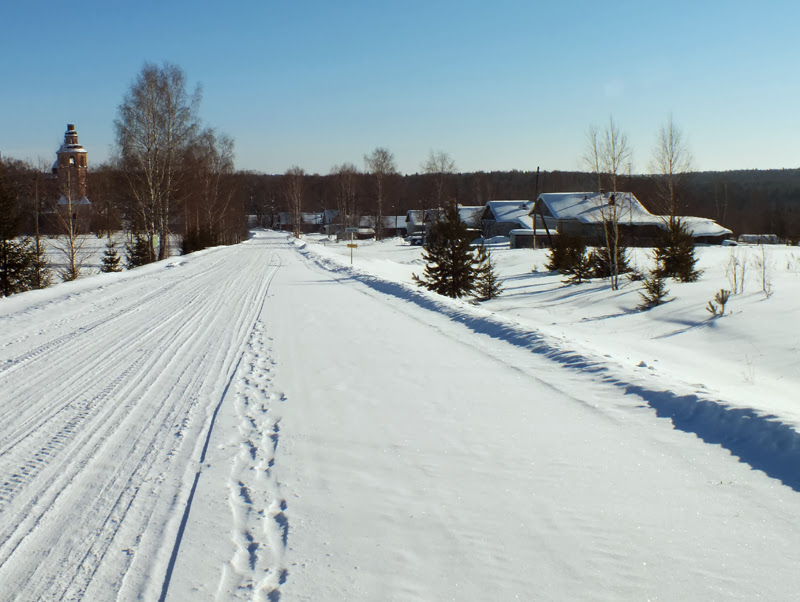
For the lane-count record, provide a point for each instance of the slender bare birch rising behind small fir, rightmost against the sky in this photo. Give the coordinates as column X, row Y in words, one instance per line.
column 671, row 160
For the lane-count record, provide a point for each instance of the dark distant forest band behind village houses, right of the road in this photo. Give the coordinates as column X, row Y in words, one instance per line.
column 747, row 201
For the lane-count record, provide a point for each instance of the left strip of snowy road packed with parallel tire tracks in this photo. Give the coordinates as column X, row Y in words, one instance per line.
column 106, row 443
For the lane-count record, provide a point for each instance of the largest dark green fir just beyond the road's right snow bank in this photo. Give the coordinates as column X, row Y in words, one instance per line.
column 450, row 264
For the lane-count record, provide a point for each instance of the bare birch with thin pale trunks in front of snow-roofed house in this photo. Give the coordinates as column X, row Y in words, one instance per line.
column 607, row 155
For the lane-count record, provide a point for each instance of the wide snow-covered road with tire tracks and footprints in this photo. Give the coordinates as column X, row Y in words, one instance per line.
column 243, row 424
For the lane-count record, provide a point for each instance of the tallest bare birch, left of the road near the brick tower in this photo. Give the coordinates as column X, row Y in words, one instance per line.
column 155, row 123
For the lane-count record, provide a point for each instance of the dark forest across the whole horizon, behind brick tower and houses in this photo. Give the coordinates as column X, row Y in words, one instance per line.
column 747, row 201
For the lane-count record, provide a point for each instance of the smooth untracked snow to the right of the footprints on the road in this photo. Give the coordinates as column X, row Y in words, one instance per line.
column 484, row 471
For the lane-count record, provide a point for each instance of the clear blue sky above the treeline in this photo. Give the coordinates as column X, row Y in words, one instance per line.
column 497, row 85
